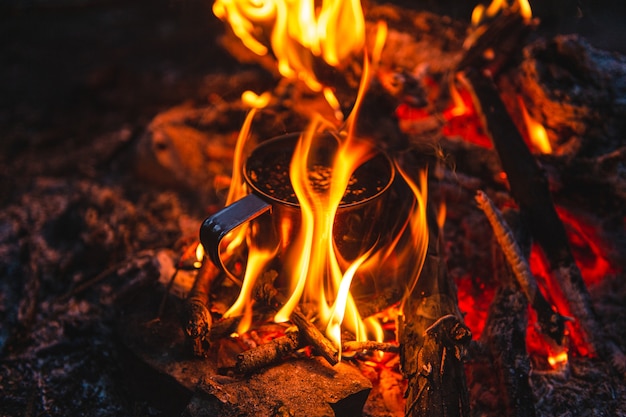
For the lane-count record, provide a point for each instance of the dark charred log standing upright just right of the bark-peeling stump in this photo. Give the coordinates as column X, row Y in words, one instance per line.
column 505, row 333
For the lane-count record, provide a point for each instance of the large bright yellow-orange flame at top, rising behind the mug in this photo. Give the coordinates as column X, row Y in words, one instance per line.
column 297, row 32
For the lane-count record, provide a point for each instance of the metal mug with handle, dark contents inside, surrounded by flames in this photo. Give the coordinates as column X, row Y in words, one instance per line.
column 358, row 223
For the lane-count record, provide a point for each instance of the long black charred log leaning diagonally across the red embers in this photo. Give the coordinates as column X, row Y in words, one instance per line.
column 529, row 187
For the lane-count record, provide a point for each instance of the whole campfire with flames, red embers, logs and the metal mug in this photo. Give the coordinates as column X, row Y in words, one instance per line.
column 397, row 214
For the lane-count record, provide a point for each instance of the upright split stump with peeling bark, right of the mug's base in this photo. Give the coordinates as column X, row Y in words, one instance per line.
column 433, row 338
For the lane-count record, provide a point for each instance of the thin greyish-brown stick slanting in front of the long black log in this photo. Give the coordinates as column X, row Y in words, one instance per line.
column 551, row 322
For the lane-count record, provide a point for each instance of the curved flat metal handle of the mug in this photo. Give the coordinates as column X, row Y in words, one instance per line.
column 217, row 226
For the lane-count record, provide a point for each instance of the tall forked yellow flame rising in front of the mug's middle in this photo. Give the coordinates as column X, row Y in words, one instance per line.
column 313, row 260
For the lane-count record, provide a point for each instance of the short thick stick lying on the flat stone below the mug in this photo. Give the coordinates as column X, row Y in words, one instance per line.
column 268, row 353
